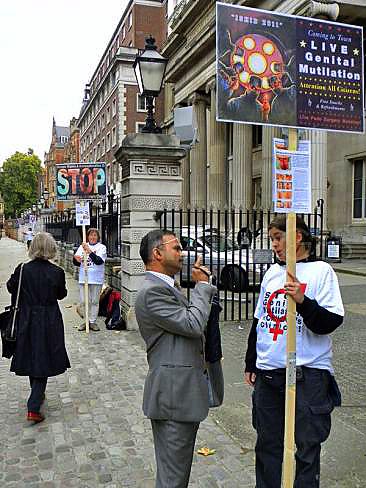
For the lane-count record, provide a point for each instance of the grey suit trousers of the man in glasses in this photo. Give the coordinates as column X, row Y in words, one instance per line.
column 174, row 445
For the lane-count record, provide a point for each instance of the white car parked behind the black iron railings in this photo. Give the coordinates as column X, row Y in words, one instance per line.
column 232, row 265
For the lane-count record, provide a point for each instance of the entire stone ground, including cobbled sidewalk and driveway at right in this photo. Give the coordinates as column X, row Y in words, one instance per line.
column 95, row 434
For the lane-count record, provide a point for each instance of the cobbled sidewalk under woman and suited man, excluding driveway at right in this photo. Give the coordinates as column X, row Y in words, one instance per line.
column 95, row 434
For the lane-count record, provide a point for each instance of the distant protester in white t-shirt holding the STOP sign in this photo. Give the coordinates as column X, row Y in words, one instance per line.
column 97, row 254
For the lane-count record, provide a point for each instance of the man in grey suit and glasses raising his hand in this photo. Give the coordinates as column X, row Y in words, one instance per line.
column 176, row 389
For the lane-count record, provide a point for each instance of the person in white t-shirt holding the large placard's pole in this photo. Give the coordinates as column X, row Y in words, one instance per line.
column 320, row 311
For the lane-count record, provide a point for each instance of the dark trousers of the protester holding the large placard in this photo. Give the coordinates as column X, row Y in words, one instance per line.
column 312, row 425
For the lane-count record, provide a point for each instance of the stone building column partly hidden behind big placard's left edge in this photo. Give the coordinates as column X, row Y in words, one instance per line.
column 217, row 158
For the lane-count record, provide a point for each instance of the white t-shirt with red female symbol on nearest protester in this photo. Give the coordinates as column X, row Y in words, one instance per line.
column 313, row 350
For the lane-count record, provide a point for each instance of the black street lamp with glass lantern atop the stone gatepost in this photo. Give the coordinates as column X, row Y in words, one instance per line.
column 149, row 67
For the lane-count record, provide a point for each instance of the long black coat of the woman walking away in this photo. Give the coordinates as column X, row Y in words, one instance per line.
column 40, row 346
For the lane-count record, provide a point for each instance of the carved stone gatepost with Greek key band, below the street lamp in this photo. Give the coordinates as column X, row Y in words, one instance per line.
column 151, row 181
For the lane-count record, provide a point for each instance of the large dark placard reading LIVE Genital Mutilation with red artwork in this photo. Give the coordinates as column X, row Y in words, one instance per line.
column 290, row 71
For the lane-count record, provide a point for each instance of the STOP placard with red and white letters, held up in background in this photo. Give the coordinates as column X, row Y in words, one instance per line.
column 81, row 181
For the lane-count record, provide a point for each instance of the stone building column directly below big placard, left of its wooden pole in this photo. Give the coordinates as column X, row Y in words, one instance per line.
column 242, row 166
